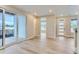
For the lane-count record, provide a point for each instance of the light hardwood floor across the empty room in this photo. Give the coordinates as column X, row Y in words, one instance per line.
column 61, row 45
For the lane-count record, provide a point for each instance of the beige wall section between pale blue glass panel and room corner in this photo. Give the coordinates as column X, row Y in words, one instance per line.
column 31, row 25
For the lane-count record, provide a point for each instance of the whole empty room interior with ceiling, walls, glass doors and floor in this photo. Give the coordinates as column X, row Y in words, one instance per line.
column 39, row 29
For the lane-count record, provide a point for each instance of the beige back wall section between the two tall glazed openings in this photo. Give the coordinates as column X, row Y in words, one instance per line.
column 51, row 27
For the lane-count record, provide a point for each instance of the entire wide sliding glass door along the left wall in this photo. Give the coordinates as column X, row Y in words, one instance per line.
column 12, row 28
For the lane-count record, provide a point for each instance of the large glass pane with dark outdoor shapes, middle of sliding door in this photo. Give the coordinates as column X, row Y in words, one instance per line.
column 10, row 27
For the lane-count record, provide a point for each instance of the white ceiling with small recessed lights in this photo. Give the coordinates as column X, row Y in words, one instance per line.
column 42, row 10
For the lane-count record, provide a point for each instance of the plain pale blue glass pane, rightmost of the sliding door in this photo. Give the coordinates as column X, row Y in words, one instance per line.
column 21, row 27
